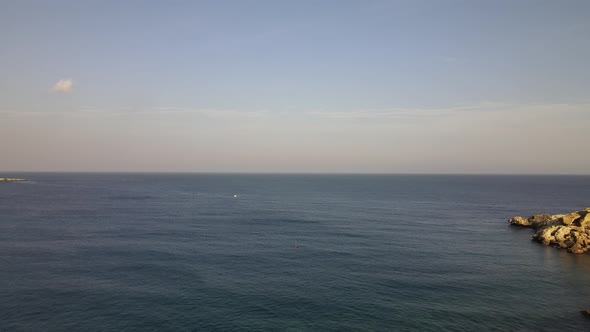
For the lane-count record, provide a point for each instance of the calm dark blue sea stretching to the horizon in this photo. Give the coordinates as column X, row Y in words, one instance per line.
column 178, row 252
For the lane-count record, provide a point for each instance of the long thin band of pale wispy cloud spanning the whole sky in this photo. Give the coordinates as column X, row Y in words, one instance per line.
column 484, row 111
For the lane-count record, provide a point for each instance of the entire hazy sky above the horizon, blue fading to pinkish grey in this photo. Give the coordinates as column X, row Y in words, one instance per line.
column 295, row 86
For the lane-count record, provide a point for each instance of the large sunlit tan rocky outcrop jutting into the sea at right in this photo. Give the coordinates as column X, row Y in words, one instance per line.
column 569, row 231
